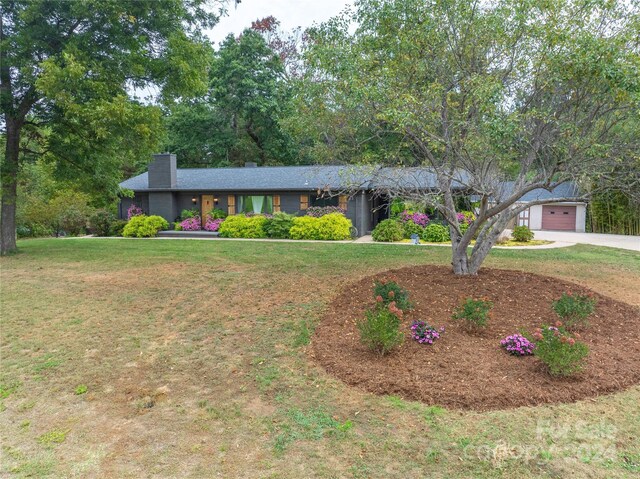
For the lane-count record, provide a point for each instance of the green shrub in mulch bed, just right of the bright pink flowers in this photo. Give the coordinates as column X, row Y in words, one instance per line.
column 562, row 354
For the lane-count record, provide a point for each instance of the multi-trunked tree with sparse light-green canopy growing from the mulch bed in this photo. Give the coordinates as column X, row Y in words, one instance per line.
column 496, row 99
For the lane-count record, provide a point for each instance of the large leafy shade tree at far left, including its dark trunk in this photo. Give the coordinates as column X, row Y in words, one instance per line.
column 67, row 73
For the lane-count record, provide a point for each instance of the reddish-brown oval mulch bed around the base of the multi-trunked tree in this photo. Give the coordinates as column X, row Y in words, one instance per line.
column 471, row 371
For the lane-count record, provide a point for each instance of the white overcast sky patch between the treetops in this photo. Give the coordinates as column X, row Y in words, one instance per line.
column 291, row 13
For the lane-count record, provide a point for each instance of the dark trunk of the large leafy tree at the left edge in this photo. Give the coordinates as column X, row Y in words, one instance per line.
column 9, row 176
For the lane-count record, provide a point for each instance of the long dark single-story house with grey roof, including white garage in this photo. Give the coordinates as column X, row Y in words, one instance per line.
column 166, row 190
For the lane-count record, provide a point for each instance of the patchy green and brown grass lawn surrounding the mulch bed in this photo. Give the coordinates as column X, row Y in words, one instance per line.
column 163, row 358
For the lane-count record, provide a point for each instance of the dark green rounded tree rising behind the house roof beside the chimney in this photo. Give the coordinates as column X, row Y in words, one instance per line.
column 239, row 118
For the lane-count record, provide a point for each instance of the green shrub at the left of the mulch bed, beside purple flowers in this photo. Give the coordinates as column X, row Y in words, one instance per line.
column 380, row 330
